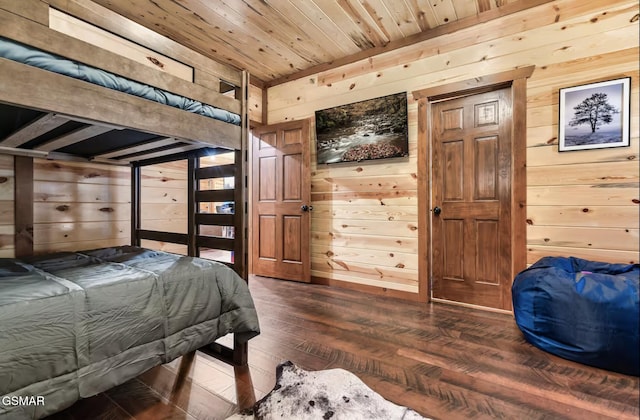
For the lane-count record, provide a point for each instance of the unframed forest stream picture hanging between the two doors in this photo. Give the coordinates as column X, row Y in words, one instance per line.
column 366, row 130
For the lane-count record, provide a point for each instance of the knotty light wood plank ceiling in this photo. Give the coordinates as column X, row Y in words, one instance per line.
column 276, row 40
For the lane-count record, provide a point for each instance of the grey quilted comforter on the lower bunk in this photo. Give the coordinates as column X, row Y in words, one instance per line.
column 75, row 324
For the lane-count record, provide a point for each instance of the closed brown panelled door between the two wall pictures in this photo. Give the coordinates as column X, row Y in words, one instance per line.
column 471, row 199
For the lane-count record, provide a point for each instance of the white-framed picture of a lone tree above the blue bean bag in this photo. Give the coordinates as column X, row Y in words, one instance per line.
column 595, row 116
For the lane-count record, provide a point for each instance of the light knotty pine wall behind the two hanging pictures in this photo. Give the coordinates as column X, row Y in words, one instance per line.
column 583, row 203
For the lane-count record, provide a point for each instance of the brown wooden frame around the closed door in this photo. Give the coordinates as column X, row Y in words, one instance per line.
column 516, row 80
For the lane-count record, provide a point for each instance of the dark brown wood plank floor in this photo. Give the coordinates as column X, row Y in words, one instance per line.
column 444, row 361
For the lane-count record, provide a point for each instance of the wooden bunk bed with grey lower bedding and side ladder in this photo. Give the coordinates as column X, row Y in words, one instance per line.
column 140, row 116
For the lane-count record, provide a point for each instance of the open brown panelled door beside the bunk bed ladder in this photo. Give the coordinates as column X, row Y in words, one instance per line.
column 281, row 193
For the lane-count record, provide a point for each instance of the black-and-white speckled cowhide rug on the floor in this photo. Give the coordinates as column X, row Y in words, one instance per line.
column 328, row 394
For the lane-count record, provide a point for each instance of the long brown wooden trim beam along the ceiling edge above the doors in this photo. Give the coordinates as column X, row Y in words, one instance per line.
column 467, row 22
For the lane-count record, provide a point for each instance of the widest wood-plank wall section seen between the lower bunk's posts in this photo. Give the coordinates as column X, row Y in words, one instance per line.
column 80, row 206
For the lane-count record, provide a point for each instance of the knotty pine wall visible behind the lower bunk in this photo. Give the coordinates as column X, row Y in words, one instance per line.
column 85, row 205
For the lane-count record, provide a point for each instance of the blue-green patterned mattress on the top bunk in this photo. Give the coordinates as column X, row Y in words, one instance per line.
column 25, row 54
